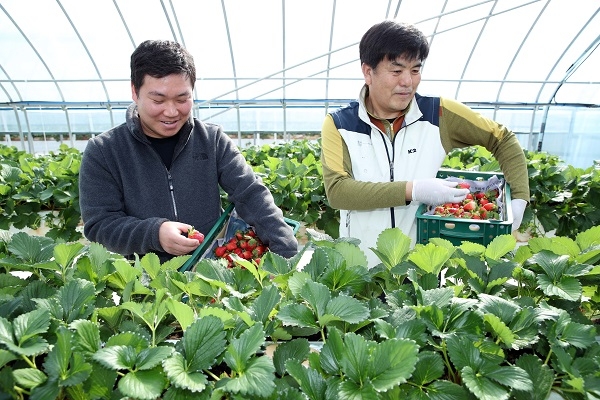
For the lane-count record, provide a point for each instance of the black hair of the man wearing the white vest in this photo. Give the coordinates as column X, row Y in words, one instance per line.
column 392, row 39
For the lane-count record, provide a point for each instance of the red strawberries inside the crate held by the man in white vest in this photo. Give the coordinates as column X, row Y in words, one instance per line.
column 476, row 205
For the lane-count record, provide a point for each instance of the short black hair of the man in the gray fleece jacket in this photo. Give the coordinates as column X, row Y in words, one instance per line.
column 160, row 58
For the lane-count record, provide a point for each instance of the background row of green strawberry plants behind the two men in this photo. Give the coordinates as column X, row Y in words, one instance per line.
column 564, row 199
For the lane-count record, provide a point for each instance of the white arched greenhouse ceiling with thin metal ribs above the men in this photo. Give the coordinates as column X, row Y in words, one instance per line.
column 73, row 53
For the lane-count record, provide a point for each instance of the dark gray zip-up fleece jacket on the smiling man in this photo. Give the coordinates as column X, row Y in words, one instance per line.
column 126, row 192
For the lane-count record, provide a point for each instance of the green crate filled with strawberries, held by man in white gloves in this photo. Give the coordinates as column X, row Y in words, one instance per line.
column 484, row 214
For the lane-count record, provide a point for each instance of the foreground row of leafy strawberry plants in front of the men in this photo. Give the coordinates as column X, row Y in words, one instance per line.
column 437, row 321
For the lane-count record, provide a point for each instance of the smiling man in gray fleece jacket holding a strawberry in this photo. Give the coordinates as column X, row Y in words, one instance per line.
column 144, row 183
